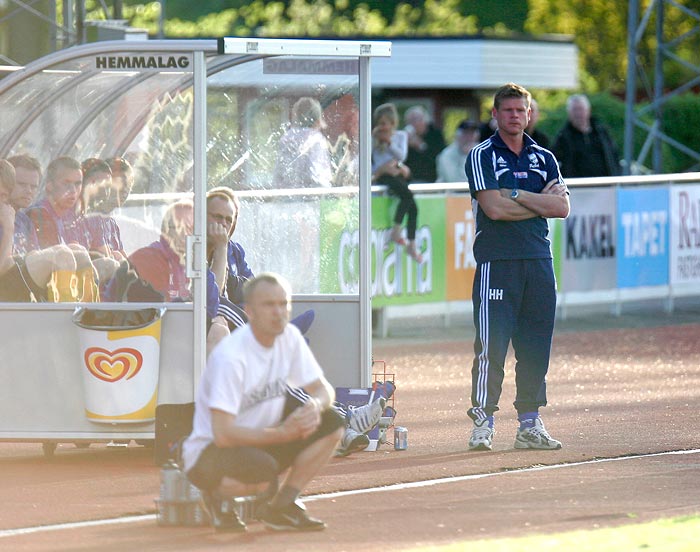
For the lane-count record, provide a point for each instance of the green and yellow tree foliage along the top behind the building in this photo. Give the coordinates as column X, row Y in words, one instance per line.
column 598, row 28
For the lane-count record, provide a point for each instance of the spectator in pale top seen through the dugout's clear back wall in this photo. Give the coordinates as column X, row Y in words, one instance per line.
column 303, row 152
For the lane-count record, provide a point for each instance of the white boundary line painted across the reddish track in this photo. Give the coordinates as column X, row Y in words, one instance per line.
column 338, row 494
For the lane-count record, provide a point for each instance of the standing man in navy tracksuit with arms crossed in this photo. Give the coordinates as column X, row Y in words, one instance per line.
column 516, row 186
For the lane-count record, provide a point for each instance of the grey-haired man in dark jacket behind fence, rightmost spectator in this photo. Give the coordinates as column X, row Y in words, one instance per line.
column 584, row 146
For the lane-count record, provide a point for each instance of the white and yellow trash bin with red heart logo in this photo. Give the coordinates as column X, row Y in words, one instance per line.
column 120, row 357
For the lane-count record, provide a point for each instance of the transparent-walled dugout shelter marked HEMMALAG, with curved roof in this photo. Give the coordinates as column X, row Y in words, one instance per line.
column 190, row 115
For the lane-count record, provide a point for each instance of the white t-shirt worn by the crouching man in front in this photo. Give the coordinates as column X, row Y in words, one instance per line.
column 249, row 381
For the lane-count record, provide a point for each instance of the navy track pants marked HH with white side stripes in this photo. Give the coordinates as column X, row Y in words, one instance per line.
column 514, row 301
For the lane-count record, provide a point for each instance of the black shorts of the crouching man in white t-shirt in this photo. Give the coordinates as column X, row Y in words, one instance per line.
column 252, row 465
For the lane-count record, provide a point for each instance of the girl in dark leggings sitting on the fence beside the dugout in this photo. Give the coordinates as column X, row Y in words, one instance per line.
column 389, row 149
